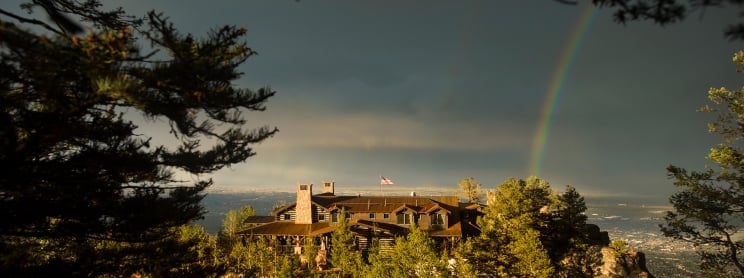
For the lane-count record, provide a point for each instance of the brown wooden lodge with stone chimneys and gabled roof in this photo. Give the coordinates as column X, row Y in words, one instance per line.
column 370, row 218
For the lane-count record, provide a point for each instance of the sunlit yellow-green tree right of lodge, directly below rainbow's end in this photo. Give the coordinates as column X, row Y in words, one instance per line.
column 509, row 243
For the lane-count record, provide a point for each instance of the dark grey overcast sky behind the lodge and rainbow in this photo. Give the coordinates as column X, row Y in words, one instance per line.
column 429, row 92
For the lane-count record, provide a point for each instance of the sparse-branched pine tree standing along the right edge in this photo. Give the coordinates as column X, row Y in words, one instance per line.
column 709, row 209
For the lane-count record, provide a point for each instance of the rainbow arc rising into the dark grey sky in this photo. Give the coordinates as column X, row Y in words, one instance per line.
column 555, row 89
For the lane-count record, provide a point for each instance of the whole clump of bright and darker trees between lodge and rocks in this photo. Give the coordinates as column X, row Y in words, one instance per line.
column 526, row 230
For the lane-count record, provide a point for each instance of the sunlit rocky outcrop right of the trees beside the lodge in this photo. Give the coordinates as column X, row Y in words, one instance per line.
column 613, row 261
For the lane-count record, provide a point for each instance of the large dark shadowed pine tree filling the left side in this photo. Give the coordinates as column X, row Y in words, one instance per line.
column 83, row 189
